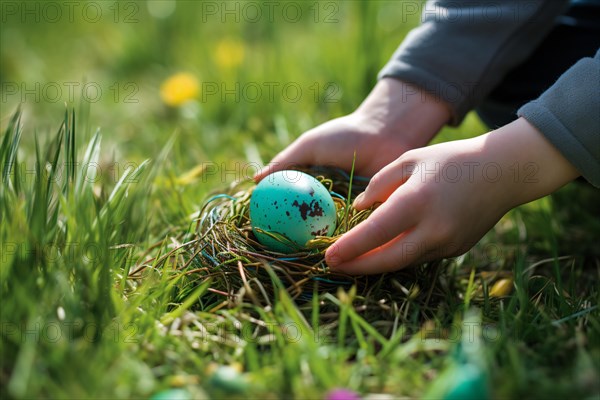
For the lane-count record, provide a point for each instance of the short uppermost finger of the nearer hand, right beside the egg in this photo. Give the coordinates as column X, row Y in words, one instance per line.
column 384, row 183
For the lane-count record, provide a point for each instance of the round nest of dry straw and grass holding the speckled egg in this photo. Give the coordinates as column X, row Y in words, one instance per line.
column 222, row 248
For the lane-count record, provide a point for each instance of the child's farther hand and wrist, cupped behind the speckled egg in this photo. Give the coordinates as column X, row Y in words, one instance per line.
column 394, row 118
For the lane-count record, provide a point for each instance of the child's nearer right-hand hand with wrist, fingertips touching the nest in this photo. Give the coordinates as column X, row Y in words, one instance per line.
column 440, row 200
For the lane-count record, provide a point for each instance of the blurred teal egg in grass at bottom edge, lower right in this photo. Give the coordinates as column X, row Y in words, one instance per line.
column 468, row 383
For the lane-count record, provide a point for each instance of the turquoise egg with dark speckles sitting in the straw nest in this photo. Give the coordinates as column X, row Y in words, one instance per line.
column 292, row 204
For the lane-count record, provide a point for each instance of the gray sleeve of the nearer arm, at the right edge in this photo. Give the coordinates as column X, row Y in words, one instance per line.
column 568, row 115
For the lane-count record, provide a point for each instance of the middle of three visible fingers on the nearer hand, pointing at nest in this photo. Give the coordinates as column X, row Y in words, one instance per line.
column 393, row 217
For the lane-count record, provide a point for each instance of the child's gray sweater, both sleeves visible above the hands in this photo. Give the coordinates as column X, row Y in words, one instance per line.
column 463, row 49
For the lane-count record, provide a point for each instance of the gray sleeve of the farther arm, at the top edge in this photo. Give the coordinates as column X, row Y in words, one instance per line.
column 463, row 48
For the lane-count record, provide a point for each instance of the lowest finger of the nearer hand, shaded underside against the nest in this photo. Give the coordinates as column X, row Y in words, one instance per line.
column 405, row 250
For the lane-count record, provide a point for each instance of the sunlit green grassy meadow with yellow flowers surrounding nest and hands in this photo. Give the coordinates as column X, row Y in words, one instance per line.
column 120, row 119
